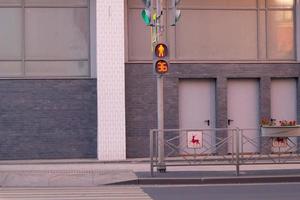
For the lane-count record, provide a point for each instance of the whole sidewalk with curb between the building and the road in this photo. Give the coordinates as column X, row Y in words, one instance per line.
column 88, row 172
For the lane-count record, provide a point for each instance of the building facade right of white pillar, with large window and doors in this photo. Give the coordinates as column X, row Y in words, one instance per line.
column 232, row 64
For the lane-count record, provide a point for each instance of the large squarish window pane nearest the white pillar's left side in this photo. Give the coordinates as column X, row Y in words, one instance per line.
column 57, row 33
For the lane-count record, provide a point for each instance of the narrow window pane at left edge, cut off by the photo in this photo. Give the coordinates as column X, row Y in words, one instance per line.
column 10, row 33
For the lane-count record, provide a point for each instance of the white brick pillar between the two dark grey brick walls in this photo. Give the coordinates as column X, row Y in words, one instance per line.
column 111, row 80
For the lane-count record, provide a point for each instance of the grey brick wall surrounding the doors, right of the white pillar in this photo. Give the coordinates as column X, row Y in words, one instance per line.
column 141, row 94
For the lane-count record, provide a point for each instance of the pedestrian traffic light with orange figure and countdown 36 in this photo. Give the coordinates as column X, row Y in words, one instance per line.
column 161, row 58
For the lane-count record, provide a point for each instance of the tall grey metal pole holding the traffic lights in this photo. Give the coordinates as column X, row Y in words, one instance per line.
column 160, row 94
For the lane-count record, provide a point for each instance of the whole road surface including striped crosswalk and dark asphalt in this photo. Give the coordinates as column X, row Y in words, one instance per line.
column 285, row 191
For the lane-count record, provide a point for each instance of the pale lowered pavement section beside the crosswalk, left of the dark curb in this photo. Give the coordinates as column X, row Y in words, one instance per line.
column 65, row 178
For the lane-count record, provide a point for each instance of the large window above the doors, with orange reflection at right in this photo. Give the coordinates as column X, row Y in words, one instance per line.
column 222, row 30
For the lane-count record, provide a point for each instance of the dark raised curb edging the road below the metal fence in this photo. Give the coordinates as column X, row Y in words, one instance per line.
column 210, row 180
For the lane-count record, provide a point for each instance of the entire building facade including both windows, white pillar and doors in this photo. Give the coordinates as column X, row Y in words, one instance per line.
column 77, row 78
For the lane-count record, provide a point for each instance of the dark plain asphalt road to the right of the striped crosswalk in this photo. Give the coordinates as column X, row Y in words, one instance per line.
column 283, row 191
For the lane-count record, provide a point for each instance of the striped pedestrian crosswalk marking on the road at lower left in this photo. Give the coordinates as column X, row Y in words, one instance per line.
column 80, row 193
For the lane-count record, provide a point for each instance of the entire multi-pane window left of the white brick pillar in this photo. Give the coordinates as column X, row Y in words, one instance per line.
column 44, row 38
